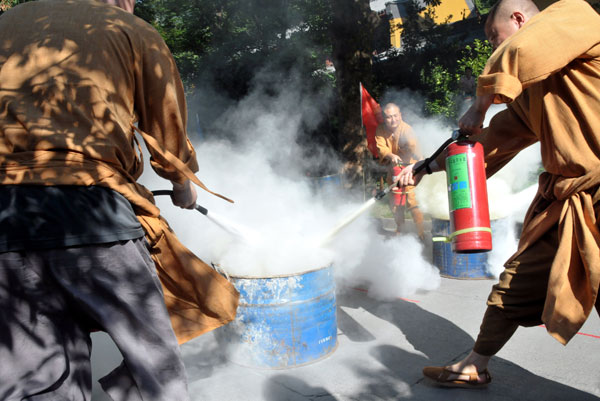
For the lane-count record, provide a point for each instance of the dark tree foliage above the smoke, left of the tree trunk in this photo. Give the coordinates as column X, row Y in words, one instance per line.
column 228, row 41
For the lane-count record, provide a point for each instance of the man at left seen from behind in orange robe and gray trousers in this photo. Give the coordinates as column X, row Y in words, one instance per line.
column 82, row 245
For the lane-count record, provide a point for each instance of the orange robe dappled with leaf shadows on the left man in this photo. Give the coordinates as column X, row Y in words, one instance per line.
column 67, row 109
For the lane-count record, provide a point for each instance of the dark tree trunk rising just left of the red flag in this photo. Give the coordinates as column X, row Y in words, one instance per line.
column 352, row 30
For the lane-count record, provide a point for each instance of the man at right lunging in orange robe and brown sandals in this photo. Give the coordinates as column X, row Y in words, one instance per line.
column 546, row 66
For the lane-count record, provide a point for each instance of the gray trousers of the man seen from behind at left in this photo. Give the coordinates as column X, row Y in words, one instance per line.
column 49, row 302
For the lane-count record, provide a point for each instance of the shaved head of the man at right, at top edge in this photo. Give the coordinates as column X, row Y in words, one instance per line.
column 506, row 17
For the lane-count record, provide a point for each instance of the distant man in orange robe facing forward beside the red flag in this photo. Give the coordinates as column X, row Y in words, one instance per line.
column 397, row 145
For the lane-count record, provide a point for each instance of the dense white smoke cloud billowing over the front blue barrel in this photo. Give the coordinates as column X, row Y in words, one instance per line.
column 263, row 169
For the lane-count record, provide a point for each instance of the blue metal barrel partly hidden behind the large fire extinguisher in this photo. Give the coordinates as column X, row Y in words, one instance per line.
column 457, row 265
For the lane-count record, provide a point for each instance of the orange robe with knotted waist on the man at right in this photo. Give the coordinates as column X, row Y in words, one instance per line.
column 549, row 73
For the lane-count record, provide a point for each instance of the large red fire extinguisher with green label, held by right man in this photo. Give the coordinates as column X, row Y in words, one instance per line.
column 467, row 198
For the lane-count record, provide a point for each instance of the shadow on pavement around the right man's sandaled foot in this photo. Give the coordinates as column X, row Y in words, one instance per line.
column 436, row 341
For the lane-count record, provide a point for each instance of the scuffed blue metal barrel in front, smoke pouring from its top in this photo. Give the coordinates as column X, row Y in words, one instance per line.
column 282, row 321
